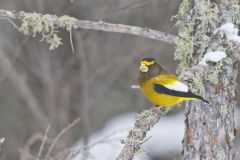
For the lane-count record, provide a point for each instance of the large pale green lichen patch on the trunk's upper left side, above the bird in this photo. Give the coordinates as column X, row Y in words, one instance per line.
column 193, row 41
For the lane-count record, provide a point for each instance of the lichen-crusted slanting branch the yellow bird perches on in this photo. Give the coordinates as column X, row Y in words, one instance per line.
column 137, row 136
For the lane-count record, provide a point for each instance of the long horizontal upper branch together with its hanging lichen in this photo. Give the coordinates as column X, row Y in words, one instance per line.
column 47, row 25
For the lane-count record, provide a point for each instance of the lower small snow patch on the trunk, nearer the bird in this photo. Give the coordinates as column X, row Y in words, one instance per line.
column 213, row 57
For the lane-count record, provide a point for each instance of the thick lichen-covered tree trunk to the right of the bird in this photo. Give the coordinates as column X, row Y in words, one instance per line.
column 209, row 128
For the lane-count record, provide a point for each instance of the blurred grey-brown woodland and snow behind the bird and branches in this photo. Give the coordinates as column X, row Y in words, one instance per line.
column 39, row 87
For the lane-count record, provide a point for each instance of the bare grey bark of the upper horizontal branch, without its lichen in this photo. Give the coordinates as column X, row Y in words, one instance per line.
column 103, row 26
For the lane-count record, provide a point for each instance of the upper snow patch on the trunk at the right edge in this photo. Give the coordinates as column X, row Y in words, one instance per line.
column 231, row 32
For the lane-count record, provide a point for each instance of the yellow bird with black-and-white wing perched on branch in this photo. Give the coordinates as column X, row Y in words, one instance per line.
column 161, row 87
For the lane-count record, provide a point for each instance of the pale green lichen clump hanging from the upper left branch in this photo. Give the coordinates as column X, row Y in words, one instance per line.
column 47, row 26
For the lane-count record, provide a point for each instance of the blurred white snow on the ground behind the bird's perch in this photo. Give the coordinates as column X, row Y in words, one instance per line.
column 167, row 135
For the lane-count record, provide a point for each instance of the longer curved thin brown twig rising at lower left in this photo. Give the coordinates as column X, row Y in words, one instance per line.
column 59, row 136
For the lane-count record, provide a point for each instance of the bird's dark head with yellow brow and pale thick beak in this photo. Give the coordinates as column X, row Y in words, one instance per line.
column 147, row 65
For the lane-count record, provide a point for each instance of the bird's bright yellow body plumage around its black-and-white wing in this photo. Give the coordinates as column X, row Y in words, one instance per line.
column 163, row 100
